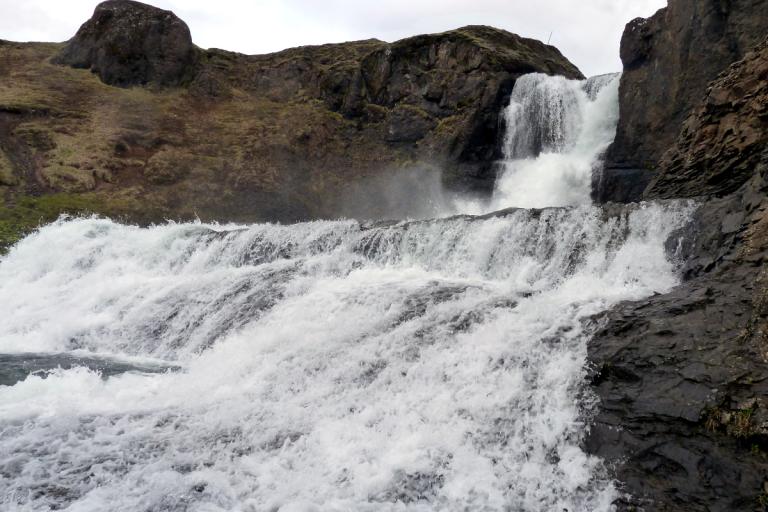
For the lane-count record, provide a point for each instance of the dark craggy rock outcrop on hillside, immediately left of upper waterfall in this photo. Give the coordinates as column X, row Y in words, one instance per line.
column 472, row 71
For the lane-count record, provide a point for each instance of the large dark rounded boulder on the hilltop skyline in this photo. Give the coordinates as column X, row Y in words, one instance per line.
column 130, row 43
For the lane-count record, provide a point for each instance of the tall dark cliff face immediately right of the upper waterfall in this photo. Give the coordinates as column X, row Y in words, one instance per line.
column 668, row 61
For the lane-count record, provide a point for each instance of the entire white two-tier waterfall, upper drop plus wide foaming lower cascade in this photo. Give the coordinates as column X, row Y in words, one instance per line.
column 331, row 365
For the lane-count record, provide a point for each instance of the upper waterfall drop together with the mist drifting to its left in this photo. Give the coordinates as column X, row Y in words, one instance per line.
column 556, row 132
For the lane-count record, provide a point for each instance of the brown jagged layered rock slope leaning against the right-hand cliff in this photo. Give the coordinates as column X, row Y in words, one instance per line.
column 721, row 142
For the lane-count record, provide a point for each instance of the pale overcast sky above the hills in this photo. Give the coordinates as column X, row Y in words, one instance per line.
column 586, row 31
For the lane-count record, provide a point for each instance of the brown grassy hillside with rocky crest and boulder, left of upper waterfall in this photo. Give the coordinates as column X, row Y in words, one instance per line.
column 130, row 119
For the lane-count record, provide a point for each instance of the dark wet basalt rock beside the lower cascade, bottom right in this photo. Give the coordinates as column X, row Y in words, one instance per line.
column 683, row 376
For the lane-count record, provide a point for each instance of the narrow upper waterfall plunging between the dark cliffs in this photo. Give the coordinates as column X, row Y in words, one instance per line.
column 557, row 129
